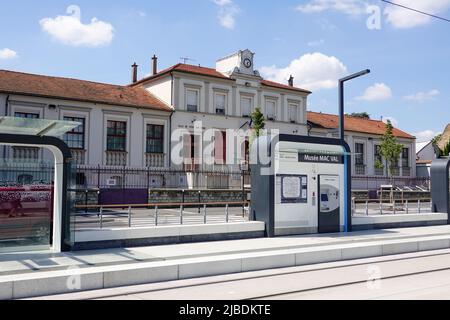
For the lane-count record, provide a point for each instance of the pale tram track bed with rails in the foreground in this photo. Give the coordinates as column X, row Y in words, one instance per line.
column 424, row 275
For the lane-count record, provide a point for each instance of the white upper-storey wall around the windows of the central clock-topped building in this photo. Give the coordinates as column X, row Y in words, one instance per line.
column 207, row 87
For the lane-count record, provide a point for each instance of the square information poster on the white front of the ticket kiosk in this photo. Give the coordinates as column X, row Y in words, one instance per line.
column 292, row 188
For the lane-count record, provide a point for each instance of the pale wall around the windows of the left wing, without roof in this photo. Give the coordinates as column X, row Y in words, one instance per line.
column 96, row 116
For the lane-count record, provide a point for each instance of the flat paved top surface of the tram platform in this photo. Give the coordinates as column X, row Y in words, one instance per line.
column 17, row 263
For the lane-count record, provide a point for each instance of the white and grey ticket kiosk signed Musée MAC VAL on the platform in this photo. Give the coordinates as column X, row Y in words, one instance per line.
column 302, row 186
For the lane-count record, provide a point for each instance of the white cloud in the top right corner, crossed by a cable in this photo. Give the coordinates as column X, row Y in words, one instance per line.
column 402, row 18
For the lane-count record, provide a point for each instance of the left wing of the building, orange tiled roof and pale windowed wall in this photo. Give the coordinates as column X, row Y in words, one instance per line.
column 119, row 126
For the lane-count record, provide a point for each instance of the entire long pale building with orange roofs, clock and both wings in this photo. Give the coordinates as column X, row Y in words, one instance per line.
column 132, row 125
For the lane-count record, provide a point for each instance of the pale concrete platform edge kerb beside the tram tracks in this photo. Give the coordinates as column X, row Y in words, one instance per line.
column 91, row 278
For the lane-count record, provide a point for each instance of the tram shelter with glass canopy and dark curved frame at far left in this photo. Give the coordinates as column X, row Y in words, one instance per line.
column 20, row 215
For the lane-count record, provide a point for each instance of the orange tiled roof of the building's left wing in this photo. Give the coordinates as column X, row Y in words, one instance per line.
column 79, row 90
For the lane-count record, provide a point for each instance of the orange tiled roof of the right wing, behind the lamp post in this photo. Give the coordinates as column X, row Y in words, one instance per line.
column 354, row 124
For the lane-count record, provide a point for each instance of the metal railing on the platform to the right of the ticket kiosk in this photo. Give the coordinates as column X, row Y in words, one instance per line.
column 385, row 206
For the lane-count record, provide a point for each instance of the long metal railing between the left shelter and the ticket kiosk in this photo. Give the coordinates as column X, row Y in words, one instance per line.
column 159, row 214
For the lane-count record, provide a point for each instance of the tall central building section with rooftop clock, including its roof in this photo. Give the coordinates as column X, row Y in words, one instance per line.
column 223, row 98
